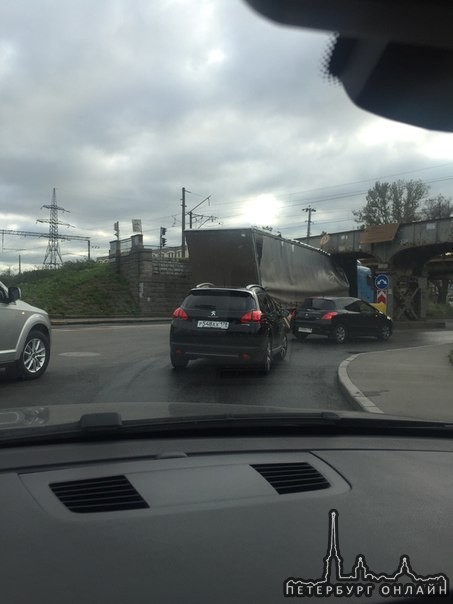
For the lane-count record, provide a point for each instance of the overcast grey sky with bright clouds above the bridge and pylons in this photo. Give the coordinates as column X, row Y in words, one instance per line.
column 118, row 104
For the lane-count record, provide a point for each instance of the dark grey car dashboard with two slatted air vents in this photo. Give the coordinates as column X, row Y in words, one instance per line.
column 228, row 519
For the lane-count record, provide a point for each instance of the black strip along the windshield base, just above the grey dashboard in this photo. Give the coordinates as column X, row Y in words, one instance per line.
column 111, row 426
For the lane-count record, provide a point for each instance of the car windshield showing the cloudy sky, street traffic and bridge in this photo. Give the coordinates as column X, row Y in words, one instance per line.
column 148, row 147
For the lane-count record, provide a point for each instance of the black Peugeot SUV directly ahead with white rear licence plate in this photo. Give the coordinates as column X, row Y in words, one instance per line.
column 234, row 325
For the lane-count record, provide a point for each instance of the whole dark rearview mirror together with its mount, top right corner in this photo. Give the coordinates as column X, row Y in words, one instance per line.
column 393, row 59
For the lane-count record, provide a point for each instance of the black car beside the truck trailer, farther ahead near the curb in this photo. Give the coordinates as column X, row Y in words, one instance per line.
column 339, row 318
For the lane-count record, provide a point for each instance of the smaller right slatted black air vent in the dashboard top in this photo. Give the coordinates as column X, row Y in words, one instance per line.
column 292, row 477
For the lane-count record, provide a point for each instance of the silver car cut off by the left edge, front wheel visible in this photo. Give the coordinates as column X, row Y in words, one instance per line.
column 25, row 336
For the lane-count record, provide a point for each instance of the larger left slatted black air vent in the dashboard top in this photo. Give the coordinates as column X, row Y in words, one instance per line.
column 107, row 494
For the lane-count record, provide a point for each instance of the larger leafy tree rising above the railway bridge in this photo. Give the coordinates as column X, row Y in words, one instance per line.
column 387, row 202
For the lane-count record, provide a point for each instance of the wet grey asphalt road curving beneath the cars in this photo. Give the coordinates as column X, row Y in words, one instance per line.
column 130, row 363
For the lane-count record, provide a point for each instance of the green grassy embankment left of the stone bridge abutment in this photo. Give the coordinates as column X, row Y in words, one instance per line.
column 77, row 289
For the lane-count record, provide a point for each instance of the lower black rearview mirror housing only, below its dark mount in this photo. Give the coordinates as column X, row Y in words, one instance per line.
column 370, row 71
